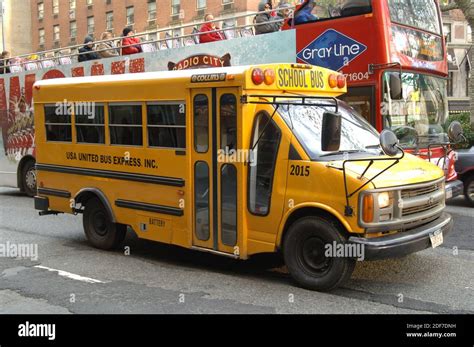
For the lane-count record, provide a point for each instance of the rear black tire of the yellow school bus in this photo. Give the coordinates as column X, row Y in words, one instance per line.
column 100, row 231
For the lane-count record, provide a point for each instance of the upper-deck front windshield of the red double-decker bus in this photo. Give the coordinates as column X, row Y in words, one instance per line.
column 420, row 14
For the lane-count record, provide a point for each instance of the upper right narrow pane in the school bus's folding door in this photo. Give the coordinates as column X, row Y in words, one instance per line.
column 228, row 118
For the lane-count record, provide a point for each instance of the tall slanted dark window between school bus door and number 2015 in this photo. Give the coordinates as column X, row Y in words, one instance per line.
column 262, row 169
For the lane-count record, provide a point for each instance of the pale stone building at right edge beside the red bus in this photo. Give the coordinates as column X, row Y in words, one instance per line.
column 458, row 38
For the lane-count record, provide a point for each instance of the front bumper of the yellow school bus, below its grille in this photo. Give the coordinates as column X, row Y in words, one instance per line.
column 403, row 243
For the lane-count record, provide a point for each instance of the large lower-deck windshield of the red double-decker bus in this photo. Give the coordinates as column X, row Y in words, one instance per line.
column 416, row 118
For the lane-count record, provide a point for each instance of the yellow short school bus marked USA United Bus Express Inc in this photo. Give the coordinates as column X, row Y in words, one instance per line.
column 235, row 161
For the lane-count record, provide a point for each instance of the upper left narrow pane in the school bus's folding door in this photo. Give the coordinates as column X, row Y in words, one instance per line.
column 201, row 123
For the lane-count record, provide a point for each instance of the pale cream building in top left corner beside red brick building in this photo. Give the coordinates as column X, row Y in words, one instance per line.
column 15, row 34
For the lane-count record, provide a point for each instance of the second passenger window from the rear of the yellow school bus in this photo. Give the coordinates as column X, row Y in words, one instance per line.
column 90, row 126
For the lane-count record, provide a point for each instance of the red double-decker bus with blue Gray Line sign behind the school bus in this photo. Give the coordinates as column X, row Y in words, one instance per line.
column 392, row 53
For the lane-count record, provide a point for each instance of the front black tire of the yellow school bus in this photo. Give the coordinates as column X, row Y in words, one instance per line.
column 304, row 254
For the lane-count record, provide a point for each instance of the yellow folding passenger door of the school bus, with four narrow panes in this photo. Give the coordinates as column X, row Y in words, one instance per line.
column 215, row 114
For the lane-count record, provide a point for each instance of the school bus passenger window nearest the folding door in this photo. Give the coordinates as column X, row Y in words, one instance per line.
column 166, row 125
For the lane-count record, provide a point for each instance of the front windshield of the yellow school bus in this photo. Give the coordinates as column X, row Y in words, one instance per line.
column 306, row 121
